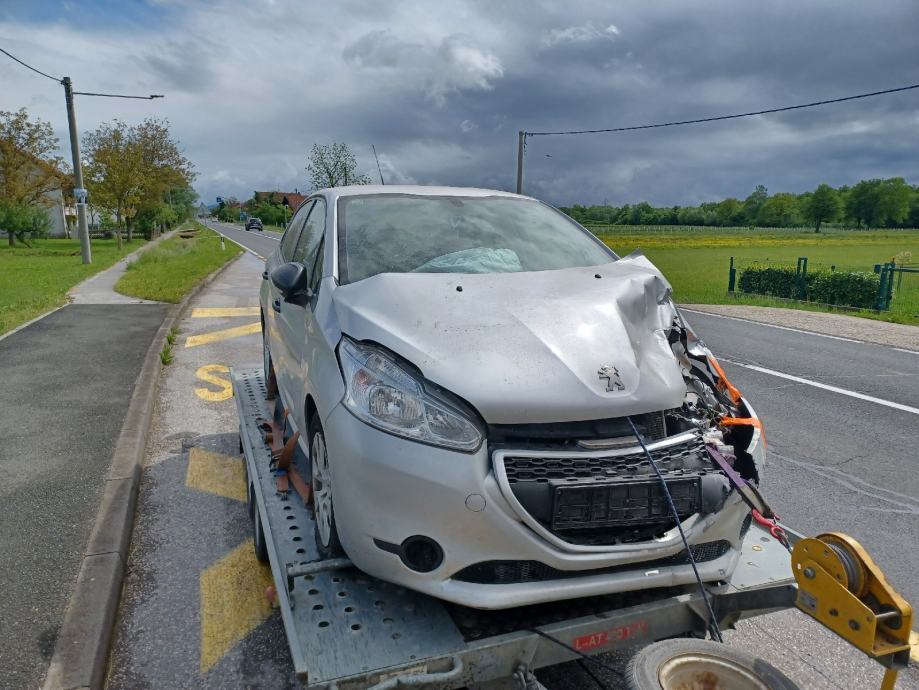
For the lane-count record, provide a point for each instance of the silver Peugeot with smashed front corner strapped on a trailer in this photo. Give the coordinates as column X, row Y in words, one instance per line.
column 479, row 385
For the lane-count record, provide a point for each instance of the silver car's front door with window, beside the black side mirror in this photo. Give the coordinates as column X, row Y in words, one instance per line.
column 295, row 319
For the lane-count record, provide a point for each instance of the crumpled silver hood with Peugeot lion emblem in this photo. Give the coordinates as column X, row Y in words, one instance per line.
column 527, row 347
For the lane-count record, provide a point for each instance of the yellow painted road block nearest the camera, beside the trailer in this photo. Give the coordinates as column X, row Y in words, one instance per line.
column 233, row 602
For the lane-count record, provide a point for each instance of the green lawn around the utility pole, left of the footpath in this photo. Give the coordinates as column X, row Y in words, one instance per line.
column 33, row 281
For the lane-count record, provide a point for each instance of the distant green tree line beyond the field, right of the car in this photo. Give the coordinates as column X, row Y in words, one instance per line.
column 875, row 203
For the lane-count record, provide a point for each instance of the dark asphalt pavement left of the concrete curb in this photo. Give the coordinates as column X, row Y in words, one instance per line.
column 67, row 380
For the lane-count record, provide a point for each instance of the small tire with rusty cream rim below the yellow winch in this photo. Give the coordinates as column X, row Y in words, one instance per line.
column 685, row 663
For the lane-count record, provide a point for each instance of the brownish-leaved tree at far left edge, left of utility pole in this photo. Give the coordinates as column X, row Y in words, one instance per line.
column 29, row 168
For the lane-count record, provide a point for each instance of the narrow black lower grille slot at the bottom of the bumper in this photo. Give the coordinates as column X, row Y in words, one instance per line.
column 517, row 572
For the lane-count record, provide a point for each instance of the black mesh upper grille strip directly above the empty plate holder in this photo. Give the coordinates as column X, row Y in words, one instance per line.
column 576, row 467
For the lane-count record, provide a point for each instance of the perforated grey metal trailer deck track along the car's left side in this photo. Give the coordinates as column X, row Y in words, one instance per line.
column 341, row 623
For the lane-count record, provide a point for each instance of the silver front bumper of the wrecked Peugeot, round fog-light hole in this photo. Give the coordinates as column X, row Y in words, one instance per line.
column 387, row 489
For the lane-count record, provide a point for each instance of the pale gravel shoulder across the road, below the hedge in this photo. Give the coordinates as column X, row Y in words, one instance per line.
column 868, row 330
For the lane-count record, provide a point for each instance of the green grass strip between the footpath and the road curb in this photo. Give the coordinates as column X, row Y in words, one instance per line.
column 168, row 271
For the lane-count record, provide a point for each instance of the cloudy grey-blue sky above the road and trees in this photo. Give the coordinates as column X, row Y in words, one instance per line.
column 441, row 88
